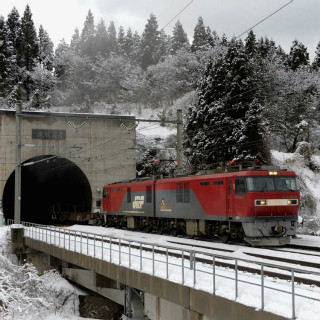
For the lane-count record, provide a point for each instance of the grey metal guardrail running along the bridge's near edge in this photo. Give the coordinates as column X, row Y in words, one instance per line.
column 188, row 267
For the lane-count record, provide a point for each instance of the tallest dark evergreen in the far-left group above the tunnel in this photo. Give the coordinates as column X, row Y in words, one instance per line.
column 27, row 50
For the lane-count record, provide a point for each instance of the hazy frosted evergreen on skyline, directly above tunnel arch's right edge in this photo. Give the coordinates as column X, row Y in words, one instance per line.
column 87, row 39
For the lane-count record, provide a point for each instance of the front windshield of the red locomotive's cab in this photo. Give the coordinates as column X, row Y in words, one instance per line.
column 271, row 184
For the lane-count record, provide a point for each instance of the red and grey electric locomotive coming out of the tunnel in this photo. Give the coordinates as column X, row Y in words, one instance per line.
column 258, row 206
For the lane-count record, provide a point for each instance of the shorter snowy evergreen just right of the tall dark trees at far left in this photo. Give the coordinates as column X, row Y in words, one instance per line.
column 45, row 50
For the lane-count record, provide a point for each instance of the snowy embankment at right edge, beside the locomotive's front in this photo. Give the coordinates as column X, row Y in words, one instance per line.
column 307, row 168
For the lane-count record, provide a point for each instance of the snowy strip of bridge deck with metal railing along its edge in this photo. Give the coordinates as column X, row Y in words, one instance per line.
column 215, row 273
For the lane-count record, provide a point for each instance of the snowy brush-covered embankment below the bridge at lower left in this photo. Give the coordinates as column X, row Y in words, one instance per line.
column 26, row 295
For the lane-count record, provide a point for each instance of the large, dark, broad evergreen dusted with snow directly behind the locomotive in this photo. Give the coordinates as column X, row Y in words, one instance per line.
column 227, row 123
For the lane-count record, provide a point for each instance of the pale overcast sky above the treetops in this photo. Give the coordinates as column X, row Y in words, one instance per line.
column 299, row 20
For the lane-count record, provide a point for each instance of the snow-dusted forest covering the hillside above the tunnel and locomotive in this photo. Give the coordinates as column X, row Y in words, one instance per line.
column 241, row 97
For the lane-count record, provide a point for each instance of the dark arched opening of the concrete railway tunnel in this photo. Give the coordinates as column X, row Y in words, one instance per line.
column 53, row 184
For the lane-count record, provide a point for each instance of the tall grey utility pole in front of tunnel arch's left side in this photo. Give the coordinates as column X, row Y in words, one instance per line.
column 17, row 181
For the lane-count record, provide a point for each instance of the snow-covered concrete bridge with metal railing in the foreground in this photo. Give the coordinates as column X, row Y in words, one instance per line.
column 165, row 282
